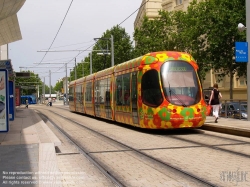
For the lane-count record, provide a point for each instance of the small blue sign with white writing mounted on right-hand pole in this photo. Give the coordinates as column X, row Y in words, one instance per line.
column 241, row 51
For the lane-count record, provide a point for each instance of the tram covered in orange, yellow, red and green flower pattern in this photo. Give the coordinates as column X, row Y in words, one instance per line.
column 160, row 90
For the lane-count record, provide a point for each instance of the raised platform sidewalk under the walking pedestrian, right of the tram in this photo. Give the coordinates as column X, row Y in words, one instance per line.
column 228, row 126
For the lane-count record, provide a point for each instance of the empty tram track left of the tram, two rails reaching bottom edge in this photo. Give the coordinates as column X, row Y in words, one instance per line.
column 126, row 147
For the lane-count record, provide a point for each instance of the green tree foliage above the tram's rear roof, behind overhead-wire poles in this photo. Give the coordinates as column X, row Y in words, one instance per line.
column 123, row 51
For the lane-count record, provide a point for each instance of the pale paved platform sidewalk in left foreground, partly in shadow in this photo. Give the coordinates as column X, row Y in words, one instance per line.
column 27, row 151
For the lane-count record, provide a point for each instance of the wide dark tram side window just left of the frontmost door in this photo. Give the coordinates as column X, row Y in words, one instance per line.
column 123, row 90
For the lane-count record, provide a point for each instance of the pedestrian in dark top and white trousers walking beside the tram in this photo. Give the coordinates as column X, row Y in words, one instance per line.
column 215, row 101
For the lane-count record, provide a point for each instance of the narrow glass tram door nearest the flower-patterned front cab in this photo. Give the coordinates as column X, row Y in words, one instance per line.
column 134, row 98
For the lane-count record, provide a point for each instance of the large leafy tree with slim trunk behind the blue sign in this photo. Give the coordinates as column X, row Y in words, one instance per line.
column 215, row 23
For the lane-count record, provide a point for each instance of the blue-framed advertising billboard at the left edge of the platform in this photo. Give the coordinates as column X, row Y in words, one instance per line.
column 4, row 101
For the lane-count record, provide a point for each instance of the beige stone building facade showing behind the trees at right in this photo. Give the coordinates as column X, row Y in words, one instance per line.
column 151, row 8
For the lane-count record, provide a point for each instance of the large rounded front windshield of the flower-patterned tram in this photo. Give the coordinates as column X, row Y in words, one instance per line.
column 180, row 83
